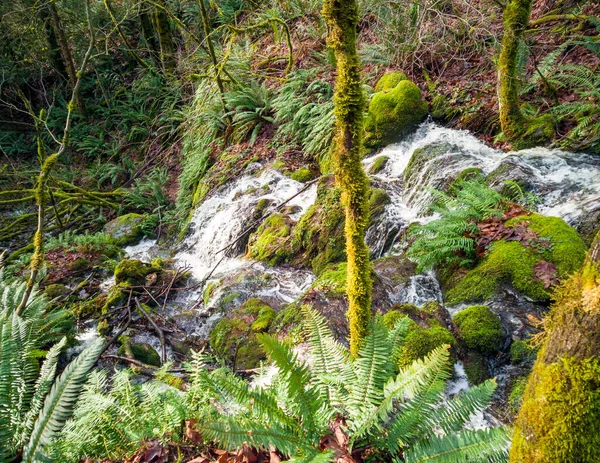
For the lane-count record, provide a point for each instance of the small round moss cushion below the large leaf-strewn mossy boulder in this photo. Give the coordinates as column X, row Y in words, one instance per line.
column 480, row 329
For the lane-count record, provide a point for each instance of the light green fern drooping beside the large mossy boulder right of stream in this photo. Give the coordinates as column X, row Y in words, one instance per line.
column 449, row 239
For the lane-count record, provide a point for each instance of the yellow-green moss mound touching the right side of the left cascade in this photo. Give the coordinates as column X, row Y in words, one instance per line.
column 272, row 242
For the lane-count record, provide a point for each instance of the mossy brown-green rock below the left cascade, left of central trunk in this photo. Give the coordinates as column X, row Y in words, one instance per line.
column 234, row 339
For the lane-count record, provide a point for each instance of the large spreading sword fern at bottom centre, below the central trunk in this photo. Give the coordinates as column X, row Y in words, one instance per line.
column 397, row 414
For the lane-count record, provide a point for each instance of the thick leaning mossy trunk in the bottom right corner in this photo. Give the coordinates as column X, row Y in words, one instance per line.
column 560, row 417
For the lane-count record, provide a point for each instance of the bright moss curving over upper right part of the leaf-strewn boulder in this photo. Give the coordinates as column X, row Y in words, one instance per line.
column 566, row 250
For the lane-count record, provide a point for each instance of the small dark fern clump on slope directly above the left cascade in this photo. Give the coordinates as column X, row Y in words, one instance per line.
column 250, row 108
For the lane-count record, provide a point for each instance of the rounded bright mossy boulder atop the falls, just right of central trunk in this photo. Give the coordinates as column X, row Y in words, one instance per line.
column 393, row 114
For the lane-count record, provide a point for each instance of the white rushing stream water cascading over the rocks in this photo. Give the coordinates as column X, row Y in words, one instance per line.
column 567, row 185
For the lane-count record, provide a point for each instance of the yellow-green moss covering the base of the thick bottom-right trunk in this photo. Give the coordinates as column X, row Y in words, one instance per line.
column 558, row 421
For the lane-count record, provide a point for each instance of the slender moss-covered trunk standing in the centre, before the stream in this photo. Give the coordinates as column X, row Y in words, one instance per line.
column 342, row 17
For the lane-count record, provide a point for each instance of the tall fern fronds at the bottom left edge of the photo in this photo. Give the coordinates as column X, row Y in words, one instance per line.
column 34, row 403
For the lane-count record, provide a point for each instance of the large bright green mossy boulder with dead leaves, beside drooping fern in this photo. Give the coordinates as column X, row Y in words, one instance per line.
column 513, row 263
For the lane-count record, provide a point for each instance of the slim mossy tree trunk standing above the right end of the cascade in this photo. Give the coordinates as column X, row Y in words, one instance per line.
column 516, row 18
